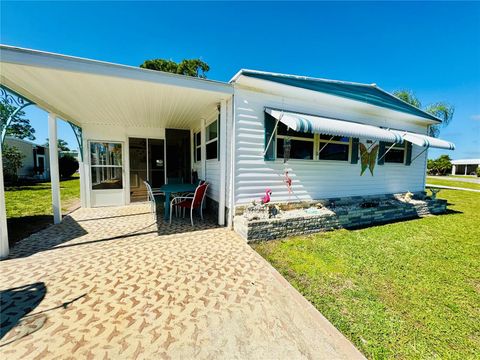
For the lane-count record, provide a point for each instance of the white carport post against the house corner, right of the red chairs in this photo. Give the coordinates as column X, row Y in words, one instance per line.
column 223, row 162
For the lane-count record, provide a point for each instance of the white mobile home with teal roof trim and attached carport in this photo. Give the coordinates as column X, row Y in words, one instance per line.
column 139, row 124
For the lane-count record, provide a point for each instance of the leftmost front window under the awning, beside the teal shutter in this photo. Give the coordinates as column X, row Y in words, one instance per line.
column 301, row 144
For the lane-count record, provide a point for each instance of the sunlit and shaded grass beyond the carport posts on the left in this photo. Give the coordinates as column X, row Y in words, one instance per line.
column 29, row 207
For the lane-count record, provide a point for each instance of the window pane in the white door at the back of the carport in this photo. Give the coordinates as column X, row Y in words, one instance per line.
column 106, row 165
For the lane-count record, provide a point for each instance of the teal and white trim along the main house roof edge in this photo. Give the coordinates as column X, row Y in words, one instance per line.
column 413, row 110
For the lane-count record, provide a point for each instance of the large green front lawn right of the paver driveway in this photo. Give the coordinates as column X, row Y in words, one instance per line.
column 407, row 290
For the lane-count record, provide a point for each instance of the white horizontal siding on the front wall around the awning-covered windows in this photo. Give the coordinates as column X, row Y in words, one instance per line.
column 312, row 179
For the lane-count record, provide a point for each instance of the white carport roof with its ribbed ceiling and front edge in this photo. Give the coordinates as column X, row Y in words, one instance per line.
column 85, row 91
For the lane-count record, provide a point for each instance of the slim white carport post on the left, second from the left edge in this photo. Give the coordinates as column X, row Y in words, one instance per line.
column 54, row 172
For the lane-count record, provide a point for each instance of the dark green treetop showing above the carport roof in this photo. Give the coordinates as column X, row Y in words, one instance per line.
column 189, row 67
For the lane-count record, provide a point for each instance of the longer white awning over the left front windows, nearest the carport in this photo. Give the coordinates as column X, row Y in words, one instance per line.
column 333, row 127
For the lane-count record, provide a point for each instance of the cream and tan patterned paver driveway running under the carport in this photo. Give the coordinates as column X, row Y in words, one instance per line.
column 107, row 283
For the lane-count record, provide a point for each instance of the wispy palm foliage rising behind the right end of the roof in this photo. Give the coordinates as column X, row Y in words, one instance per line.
column 441, row 110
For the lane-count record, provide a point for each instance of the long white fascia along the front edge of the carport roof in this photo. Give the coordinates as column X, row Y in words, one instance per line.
column 30, row 57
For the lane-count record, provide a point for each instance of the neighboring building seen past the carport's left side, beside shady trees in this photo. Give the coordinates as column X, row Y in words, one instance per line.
column 36, row 160
